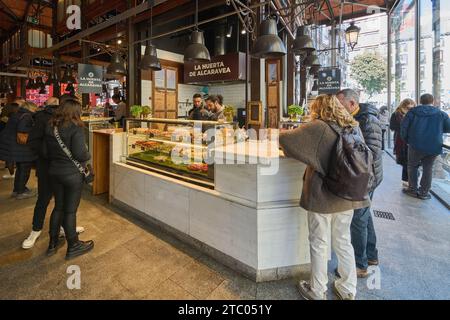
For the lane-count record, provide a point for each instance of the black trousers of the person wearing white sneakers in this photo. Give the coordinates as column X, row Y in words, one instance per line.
column 45, row 194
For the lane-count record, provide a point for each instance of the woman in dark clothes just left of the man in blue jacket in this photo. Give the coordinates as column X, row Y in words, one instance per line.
column 400, row 146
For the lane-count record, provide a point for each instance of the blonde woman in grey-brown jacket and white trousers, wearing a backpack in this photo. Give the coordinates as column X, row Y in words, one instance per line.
column 313, row 144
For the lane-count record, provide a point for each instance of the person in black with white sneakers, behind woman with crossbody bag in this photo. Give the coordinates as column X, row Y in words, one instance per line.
column 45, row 193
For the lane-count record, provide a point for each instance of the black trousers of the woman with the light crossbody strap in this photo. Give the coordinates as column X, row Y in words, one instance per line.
column 67, row 190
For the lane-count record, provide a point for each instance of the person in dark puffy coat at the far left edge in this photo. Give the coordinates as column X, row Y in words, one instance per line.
column 14, row 148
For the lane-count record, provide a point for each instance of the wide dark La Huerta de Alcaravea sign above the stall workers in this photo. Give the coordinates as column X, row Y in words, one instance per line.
column 228, row 67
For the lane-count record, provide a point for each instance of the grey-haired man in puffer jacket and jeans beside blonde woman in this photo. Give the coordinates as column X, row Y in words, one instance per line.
column 364, row 238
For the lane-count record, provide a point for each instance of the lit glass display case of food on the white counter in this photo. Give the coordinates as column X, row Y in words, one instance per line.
column 182, row 149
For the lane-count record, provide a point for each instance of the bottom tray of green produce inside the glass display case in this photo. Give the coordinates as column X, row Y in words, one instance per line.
column 146, row 160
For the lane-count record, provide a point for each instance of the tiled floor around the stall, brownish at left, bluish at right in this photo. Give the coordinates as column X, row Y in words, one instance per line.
column 135, row 261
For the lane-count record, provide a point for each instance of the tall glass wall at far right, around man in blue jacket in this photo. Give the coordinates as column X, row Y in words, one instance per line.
column 432, row 39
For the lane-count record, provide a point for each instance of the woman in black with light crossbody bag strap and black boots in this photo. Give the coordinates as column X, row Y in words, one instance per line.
column 66, row 150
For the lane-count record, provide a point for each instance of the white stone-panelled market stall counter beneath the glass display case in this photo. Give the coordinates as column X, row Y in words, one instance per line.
column 250, row 220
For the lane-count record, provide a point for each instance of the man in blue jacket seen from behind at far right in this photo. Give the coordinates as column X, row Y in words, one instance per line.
column 422, row 129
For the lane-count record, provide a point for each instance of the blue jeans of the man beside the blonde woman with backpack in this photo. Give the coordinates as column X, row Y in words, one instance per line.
column 364, row 239
